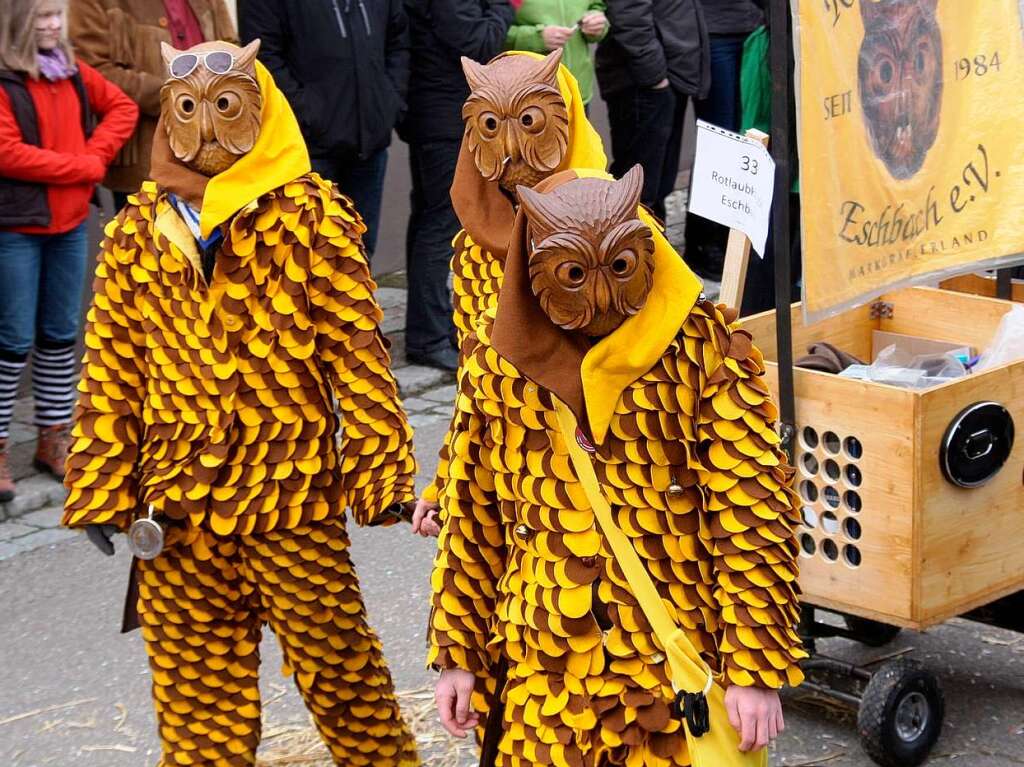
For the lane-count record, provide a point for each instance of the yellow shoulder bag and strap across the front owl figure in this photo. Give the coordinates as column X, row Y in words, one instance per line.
column 710, row 738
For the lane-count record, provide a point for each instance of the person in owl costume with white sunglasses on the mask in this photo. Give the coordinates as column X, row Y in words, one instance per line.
column 232, row 345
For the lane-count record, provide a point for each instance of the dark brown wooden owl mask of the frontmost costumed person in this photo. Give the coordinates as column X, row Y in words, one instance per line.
column 591, row 261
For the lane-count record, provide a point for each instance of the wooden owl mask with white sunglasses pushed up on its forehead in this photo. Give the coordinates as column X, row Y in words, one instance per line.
column 211, row 104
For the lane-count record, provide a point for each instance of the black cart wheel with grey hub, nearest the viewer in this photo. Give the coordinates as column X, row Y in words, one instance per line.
column 901, row 715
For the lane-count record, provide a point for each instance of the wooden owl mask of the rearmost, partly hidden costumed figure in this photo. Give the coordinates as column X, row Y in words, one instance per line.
column 518, row 124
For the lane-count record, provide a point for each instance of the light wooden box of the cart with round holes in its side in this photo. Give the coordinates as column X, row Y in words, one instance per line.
column 889, row 538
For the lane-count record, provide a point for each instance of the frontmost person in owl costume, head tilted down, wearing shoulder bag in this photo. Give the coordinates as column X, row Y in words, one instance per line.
column 598, row 311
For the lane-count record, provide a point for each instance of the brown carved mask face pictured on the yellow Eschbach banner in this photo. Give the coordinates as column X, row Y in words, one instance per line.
column 901, row 73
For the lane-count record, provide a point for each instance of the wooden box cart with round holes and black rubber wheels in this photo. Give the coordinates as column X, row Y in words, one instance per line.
column 888, row 540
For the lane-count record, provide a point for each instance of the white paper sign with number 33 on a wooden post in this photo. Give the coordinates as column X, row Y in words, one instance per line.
column 733, row 183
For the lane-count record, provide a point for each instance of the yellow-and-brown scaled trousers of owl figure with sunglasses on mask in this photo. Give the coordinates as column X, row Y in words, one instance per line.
column 203, row 604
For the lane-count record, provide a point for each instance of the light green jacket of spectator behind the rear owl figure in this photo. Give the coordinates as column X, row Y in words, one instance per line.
column 534, row 16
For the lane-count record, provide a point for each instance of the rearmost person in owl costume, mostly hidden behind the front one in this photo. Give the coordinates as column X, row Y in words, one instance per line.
column 525, row 121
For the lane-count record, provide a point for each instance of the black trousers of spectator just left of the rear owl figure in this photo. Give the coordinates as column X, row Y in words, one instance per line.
column 433, row 226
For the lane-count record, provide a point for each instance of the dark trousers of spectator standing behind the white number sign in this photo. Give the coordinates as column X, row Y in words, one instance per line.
column 721, row 108
